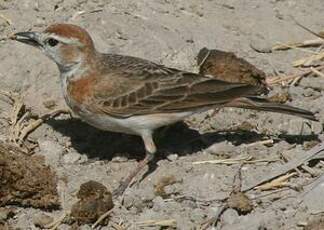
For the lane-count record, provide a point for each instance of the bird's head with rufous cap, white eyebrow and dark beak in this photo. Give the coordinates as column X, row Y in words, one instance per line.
column 66, row 44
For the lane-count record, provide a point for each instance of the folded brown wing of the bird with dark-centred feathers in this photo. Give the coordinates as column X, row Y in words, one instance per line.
column 132, row 86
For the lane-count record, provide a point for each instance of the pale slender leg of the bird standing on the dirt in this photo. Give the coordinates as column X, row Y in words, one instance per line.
column 150, row 150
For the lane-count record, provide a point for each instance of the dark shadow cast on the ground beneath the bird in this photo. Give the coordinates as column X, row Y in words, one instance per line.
column 178, row 138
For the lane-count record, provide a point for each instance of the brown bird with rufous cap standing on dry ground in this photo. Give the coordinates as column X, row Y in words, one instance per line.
column 132, row 95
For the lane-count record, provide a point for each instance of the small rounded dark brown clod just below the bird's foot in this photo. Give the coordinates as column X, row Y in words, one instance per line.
column 95, row 200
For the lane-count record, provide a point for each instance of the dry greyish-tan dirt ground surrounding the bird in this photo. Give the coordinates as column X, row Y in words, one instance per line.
column 172, row 33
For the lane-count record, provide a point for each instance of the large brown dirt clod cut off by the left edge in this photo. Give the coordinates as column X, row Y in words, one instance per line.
column 25, row 180
